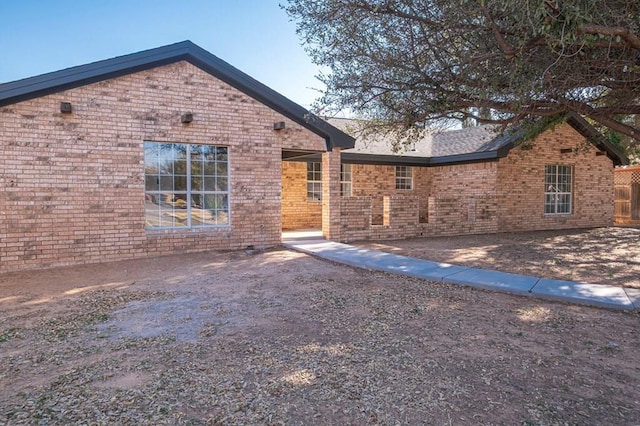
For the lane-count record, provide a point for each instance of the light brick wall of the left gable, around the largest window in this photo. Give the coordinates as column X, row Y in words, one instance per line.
column 71, row 185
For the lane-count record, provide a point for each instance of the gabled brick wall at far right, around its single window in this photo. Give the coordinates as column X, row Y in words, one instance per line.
column 520, row 184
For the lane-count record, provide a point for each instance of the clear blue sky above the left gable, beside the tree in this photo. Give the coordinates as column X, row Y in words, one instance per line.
column 256, row 36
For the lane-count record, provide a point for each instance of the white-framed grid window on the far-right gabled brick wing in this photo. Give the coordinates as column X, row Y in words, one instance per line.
column 558, row 181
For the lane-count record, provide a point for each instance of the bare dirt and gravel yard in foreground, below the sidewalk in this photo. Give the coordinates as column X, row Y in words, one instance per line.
column 278, row 337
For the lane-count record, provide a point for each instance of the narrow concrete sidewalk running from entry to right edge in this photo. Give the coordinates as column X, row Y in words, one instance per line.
column 565, row 291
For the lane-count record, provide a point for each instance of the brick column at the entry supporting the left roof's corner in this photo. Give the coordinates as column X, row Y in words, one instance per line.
column 331, row 194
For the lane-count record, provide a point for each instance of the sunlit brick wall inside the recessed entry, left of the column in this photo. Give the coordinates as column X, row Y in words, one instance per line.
column 297, row 212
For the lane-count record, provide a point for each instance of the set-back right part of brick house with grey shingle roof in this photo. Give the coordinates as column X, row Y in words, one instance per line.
column 468, row 181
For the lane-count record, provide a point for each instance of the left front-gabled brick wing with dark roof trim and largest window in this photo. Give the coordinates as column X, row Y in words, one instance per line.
column 162, row 151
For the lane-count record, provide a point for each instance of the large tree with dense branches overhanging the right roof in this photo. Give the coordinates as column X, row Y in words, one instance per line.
column 412, row 63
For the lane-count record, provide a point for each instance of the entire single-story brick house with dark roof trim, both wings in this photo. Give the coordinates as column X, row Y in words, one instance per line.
column 174, row 150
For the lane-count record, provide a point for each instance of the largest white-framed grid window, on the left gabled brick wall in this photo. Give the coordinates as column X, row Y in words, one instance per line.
column 186, row 185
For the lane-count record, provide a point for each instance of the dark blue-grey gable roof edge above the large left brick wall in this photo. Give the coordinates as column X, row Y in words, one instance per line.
column 45, row 84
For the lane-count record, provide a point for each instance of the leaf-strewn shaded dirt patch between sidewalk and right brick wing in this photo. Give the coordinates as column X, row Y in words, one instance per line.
column 598, row 256
